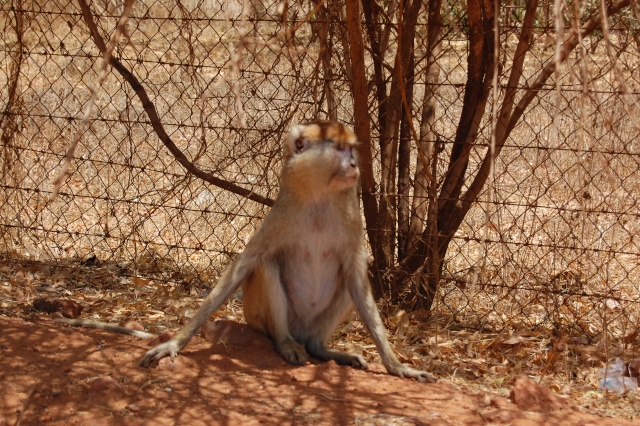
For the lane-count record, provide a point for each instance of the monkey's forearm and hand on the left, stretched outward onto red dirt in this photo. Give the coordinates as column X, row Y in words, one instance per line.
column 229, row 282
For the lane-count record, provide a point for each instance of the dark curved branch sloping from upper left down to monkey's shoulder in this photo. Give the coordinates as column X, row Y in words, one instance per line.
column 152, row 113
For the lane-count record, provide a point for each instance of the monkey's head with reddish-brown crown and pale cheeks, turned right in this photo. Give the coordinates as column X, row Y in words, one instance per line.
column 321, row 156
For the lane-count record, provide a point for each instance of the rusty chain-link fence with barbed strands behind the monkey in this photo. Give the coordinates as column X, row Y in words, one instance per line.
column 551, row 242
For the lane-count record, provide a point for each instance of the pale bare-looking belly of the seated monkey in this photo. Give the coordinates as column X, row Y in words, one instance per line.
column 312, row 278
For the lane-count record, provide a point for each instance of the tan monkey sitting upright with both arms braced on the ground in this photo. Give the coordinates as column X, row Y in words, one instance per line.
column 305, row 268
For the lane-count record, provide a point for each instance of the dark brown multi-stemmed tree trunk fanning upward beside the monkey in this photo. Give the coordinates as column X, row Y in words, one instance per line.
column 425, row 234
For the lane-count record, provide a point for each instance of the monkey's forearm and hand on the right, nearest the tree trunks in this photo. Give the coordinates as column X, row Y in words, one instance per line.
column 365, row 305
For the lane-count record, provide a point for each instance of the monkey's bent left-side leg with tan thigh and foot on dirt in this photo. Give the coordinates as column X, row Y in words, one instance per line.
column 266, row 308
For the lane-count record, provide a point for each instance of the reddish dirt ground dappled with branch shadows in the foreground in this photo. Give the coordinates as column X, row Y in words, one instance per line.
column 54, row 374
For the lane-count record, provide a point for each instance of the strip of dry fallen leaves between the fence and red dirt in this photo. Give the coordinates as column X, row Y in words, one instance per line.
column 432, row 342
